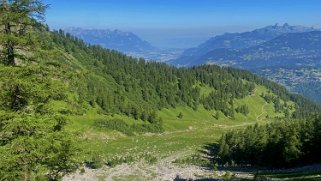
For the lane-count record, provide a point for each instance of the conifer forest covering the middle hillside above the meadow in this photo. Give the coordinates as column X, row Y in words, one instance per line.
column 138, row 88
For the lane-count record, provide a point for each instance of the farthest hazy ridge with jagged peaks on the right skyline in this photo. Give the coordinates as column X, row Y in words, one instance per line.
column 237, row 41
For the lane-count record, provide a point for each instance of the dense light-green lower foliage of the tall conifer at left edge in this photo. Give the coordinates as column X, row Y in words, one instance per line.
column 33, row 142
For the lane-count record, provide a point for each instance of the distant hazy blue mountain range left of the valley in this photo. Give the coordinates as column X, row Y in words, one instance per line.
column 112, row 39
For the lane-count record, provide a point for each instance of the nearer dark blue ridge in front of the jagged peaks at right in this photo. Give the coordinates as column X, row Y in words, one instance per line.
column 291, row 49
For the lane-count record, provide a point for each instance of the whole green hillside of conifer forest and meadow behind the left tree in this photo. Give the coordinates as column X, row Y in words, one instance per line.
column 106, row 85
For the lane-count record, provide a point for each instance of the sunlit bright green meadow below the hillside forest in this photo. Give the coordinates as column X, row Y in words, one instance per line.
column 187, row 134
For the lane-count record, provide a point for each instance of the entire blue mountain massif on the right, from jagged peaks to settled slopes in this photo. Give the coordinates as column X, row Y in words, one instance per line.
column 289, row 55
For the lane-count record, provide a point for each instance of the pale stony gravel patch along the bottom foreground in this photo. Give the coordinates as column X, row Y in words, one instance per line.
column 162, row 171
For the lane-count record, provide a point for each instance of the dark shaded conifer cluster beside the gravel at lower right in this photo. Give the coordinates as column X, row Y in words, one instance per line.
column 280, row 144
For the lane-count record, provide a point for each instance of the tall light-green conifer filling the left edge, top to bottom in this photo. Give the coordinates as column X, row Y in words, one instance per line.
column 32, row 141
